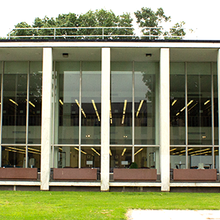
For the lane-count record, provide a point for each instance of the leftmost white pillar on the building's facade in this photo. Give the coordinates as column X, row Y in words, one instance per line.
column 46, row 118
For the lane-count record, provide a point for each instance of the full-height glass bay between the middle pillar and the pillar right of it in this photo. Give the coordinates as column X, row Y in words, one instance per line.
column 133, row 110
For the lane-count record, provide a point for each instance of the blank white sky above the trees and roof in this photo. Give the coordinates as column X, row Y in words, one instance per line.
column 200, row 16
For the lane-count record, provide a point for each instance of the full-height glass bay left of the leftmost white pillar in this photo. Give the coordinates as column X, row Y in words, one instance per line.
column 21, row 115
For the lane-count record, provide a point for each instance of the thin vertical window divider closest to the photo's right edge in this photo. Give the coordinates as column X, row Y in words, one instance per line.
column 212, row 109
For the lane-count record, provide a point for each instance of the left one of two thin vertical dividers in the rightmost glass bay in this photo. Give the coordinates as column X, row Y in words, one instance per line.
column 186, row 115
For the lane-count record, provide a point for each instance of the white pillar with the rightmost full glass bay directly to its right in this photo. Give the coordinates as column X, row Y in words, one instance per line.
column 165, row 118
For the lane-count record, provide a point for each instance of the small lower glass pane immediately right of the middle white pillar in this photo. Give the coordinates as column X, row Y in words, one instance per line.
column 120, row 157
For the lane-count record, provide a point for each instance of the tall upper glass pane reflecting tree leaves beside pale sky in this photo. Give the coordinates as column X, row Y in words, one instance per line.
column 144, row 101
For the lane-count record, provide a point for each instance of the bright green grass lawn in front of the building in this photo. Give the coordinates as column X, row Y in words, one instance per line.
column 96, row 205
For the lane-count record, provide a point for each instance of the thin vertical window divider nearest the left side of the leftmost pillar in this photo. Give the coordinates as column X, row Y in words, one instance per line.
column 27, row 113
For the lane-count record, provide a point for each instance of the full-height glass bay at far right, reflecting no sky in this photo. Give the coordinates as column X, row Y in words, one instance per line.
column 193, row 115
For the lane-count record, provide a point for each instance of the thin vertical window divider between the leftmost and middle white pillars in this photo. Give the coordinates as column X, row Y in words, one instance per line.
column 80, row 115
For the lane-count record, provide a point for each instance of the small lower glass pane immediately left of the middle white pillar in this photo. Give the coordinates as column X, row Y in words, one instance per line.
column 91, row 157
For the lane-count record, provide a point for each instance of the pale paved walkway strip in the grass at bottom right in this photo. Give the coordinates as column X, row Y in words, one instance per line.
column 173, row 214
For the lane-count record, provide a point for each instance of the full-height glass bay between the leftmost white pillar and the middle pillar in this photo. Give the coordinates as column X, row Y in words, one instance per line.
column 77, row 114
